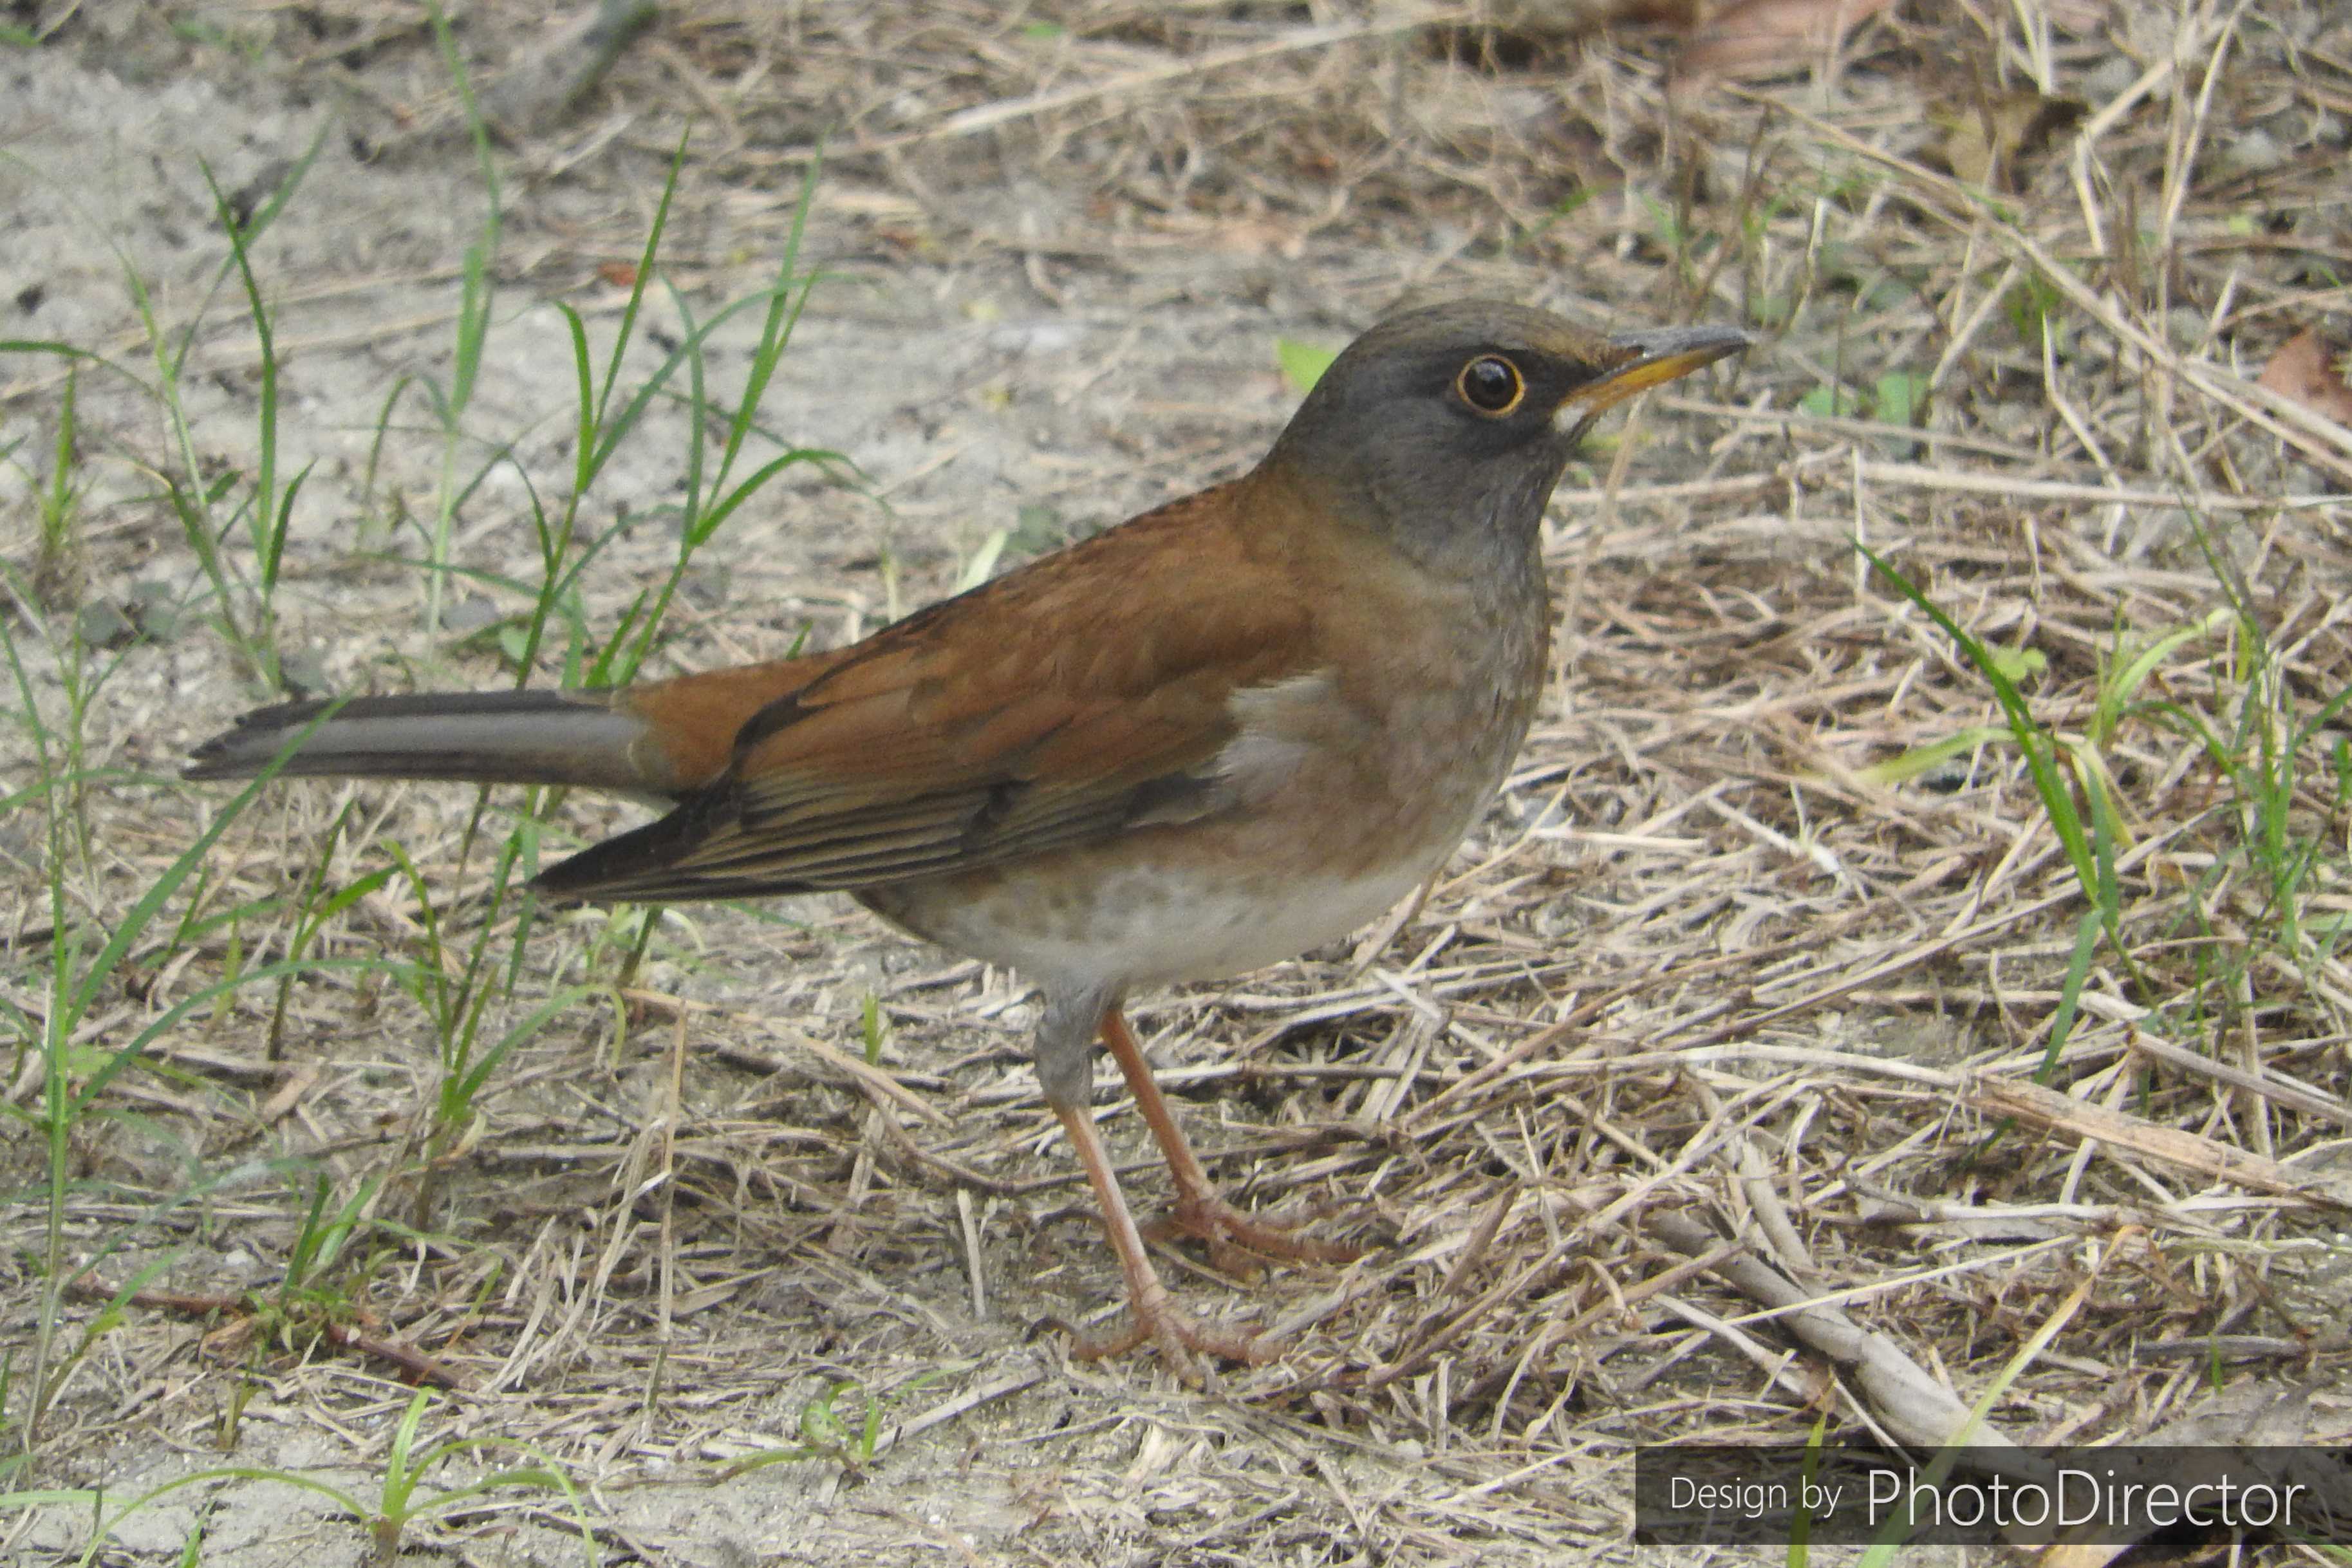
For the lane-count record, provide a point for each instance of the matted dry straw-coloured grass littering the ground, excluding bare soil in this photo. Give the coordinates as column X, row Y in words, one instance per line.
column 1725, row 1000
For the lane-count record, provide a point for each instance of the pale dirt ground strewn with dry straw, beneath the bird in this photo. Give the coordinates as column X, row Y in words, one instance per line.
column 1695, row 963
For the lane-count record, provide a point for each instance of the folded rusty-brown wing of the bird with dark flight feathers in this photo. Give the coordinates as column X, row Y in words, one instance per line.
column 1013, row 721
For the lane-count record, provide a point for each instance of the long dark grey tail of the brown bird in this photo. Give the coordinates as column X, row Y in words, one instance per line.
column 474, row 737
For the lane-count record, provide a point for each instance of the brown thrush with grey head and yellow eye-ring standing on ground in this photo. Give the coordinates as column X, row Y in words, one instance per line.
column 1191, row 746
